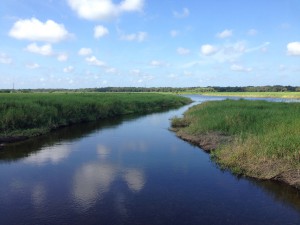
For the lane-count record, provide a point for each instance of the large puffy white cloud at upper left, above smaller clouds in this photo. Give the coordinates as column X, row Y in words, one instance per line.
column 35, row 30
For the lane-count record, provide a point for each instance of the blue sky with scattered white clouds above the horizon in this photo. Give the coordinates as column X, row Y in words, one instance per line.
column 149, row 43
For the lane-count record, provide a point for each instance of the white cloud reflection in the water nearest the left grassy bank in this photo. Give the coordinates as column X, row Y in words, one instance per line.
column 53, row 155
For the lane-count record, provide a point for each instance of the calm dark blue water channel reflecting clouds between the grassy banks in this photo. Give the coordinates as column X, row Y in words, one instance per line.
column 131, row 171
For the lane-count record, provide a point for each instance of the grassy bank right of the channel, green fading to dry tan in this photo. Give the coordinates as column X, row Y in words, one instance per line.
column 255, row 138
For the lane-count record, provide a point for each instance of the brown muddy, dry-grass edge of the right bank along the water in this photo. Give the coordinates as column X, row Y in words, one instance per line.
column 265, row 169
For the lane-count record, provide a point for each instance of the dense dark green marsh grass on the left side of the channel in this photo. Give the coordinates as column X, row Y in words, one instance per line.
column 37, row 113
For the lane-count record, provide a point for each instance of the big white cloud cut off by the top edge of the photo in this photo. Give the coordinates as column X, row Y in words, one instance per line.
column 104, row 9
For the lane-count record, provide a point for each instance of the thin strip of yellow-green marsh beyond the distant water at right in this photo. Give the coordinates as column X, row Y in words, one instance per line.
column 295, row 95
